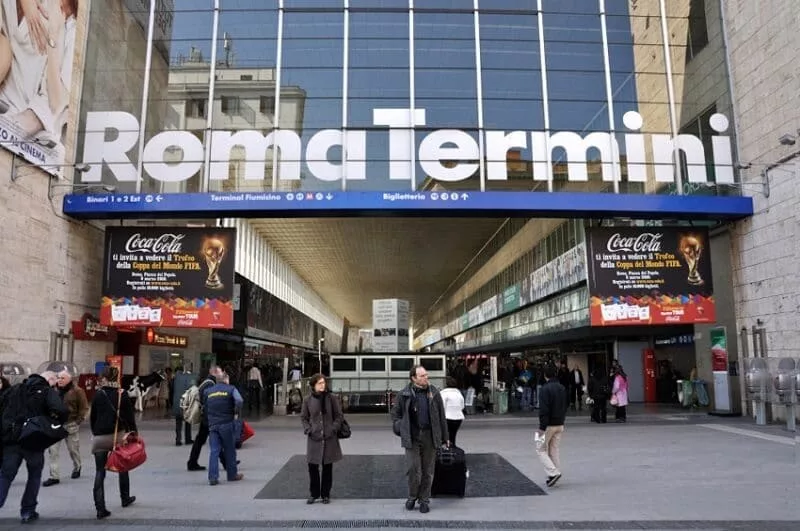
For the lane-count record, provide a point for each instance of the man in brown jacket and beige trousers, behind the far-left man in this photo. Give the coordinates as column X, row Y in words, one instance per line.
column 74, row 399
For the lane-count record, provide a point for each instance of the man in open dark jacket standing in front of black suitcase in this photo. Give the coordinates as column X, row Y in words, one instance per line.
column 418, row 419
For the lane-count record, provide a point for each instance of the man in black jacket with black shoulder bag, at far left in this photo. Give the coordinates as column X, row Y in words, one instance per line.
column 35, row 397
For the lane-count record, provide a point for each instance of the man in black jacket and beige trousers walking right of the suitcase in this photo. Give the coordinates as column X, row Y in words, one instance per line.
column 552, row 410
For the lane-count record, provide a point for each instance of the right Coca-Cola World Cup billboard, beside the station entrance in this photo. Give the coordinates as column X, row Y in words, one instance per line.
column 652, row 275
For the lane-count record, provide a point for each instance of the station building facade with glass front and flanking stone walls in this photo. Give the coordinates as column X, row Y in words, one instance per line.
column 309, row 96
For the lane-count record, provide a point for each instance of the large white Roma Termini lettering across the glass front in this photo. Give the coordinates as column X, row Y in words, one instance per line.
column 112, row 136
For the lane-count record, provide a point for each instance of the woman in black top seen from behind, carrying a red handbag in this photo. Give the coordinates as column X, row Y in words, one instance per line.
column 103, row 420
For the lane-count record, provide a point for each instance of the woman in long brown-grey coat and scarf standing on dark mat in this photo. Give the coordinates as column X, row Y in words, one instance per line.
column 321, row 416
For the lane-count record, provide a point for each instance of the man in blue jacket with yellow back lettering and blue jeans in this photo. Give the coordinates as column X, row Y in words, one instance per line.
column 222, row 400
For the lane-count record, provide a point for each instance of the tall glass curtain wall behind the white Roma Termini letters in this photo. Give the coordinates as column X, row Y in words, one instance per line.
column 458, row 95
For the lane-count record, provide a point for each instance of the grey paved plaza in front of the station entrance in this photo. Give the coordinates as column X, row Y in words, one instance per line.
column 661, row 470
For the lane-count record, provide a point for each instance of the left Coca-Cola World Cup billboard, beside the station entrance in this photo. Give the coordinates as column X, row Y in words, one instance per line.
column 168, row 276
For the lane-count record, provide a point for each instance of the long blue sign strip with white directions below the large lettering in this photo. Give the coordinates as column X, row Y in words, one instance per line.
column 420, row 204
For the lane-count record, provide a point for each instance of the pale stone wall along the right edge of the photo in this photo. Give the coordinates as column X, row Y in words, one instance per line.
column 762, row 48
